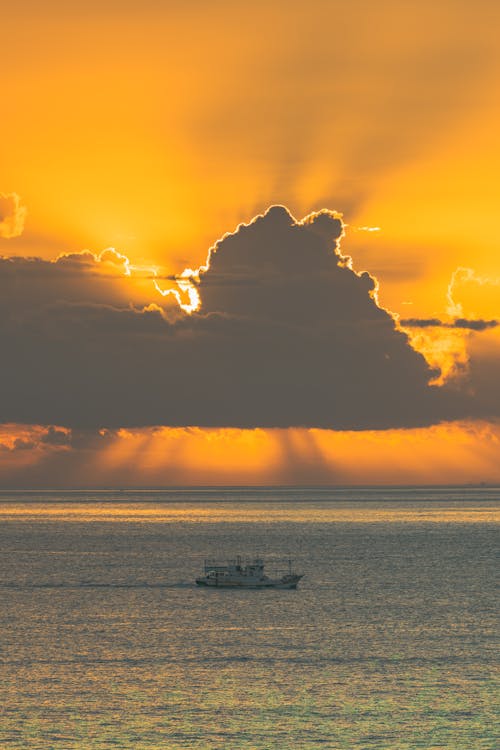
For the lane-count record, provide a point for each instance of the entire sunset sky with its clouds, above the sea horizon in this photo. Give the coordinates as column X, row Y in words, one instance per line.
column 249, row 243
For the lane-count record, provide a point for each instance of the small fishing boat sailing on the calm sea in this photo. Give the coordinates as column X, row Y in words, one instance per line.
column 248, row 574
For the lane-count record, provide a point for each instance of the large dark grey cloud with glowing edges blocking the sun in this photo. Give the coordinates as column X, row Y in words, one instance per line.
column 287, row 335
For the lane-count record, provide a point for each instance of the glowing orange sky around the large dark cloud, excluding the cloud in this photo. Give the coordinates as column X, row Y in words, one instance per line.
column 156, row 128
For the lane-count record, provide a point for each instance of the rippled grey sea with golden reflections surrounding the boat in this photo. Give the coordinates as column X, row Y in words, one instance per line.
column 390, row 641
